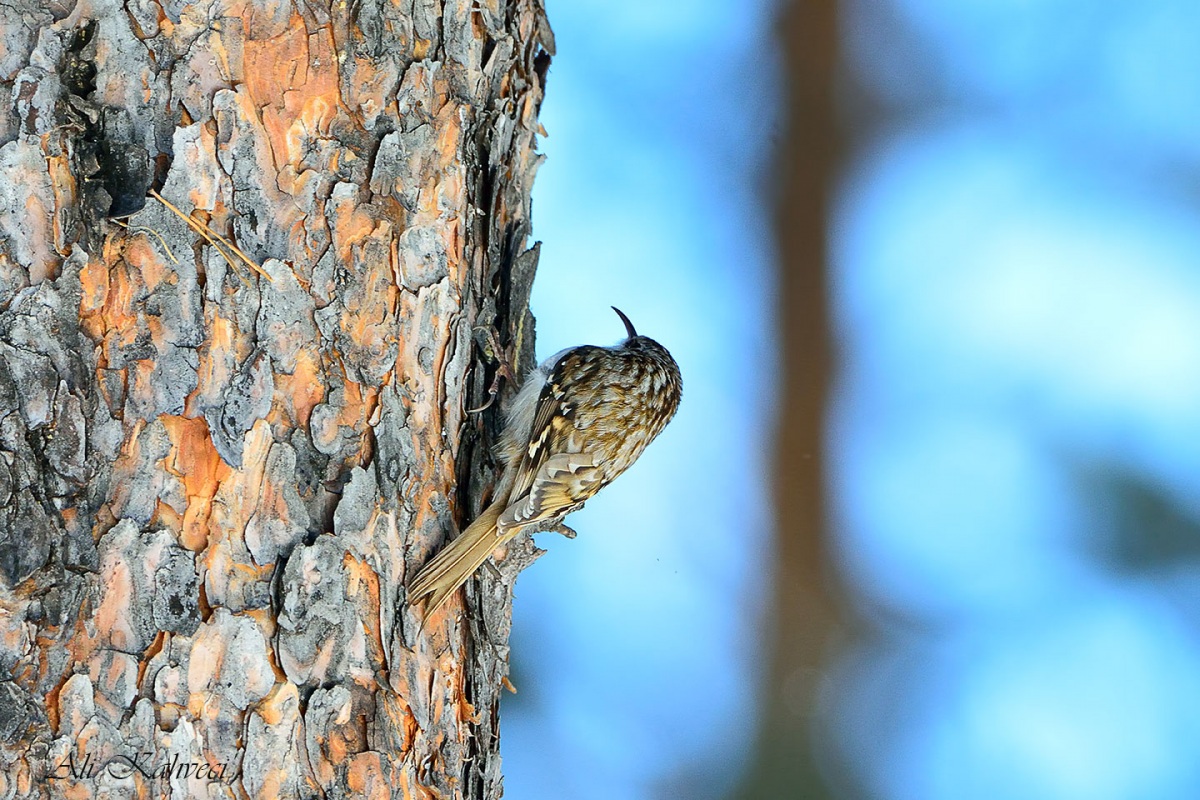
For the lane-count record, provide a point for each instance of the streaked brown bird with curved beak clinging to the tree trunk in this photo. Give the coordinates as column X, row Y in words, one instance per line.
column 580, row 420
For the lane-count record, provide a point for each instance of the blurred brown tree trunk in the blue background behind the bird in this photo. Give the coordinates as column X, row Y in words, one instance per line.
column 805, row 619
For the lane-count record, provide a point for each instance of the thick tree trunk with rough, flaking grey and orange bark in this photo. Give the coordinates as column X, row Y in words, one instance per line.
column 214, row 484
